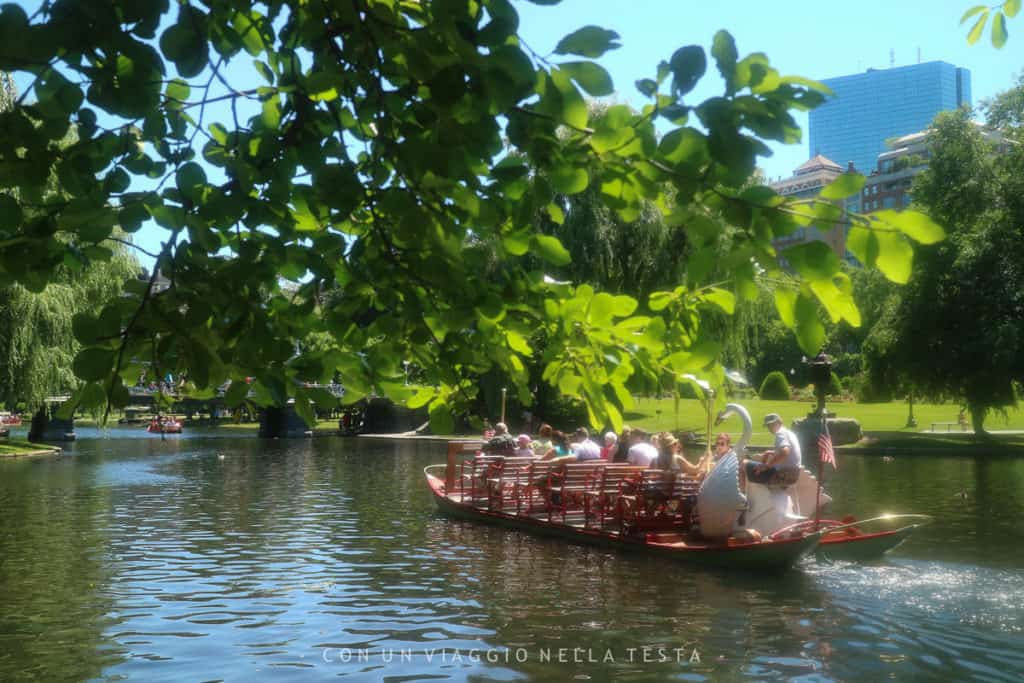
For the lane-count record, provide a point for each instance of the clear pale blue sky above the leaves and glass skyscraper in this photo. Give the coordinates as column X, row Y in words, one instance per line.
column 818, row 39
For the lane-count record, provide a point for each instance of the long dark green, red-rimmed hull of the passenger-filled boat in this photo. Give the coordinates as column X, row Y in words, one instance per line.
column 776, row 556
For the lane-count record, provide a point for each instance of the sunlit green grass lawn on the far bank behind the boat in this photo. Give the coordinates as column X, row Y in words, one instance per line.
column 658, row 415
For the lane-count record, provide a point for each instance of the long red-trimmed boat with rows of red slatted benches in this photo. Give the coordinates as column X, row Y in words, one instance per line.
column 620, row 507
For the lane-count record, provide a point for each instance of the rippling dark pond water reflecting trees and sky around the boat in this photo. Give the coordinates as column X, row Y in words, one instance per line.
column 207, row 558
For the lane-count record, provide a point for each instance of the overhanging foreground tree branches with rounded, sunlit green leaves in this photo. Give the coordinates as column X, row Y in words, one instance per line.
column 386, row 149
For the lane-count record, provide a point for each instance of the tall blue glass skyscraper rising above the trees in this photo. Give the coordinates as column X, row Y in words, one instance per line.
column 881, row 104
